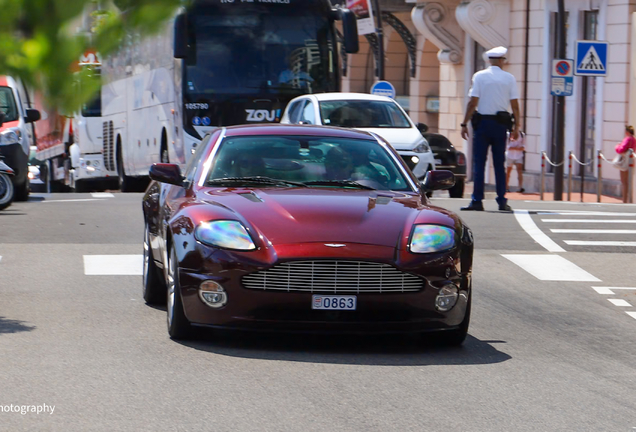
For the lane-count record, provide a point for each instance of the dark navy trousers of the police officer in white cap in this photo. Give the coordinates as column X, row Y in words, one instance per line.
column 489, row 132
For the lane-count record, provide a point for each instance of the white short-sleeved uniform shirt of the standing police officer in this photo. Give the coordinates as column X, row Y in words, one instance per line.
column 495, row 89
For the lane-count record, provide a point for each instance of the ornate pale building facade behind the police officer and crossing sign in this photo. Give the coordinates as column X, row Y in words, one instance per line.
column 432, row 50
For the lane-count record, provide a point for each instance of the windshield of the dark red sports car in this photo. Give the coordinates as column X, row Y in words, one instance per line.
column 288, row 161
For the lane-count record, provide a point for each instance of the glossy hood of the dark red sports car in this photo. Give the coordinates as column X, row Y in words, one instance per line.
column 289, row 216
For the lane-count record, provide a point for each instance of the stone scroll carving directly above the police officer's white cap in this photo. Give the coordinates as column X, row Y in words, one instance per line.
column 486, row 21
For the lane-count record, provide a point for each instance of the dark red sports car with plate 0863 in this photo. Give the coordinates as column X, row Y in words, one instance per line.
column 304, row 229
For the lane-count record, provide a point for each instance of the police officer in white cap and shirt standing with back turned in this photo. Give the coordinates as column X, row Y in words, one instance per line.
column 492, row 91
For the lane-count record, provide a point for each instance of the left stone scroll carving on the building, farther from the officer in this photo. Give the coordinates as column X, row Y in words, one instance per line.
column 437, row 22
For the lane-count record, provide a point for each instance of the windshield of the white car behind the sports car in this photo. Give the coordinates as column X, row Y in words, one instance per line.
column 363, row 113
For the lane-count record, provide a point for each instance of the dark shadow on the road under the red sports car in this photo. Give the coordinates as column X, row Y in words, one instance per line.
column 355, row 350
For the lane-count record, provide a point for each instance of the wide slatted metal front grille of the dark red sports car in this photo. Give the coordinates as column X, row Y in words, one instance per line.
column 333, row 277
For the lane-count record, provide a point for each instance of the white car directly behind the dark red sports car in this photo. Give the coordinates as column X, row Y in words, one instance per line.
column 377, row 114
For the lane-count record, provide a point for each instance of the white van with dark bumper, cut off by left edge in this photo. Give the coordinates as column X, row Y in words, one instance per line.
column 16, row 132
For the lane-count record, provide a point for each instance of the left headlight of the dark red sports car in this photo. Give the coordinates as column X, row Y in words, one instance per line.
column 226, row 234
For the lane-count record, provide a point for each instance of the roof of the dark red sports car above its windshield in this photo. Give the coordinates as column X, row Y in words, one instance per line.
column 298, row 130
